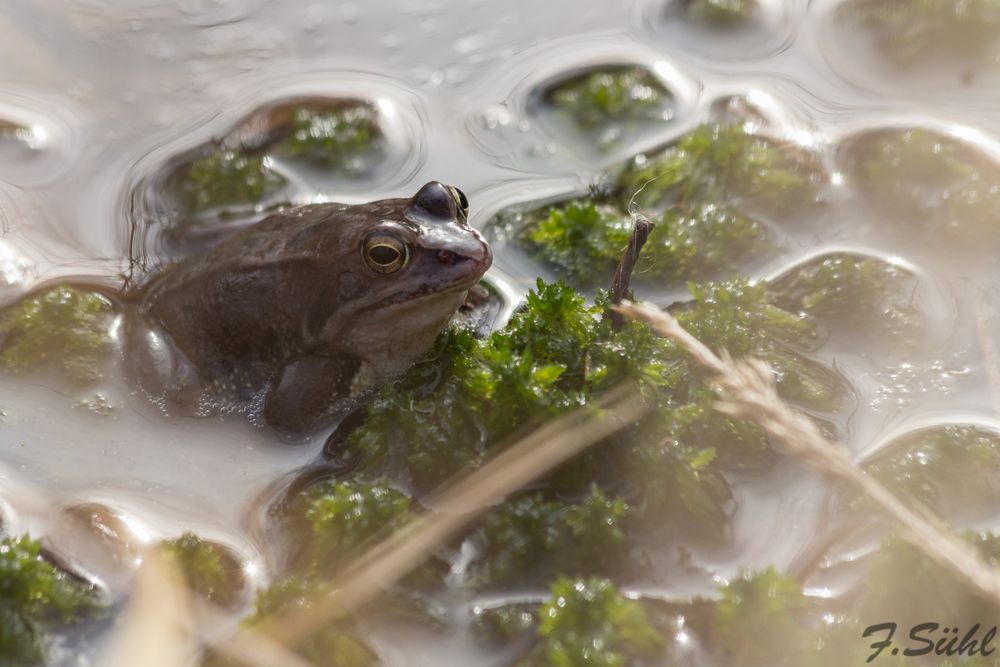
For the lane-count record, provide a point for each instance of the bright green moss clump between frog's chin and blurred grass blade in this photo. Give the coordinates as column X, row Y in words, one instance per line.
column 552, row 357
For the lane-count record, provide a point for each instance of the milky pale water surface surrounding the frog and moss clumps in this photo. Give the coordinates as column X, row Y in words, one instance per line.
column 104, row 94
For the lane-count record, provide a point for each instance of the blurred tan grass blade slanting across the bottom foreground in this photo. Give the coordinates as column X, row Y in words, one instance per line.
column 458, row 503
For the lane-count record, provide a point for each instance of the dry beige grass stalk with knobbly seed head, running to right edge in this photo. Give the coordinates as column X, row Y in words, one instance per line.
column 746, row 389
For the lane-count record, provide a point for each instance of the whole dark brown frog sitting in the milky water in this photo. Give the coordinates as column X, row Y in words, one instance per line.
column 293, row 307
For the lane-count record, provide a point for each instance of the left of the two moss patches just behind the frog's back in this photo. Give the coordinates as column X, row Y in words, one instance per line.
column 225, row 179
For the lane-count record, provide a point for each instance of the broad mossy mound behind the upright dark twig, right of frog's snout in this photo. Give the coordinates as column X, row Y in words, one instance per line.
column 706, row 193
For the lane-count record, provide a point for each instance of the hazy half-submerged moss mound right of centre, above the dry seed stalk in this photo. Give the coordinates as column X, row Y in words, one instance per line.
column 851, row 291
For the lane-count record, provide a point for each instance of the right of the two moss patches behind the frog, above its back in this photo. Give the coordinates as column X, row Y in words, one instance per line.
column 345, row 140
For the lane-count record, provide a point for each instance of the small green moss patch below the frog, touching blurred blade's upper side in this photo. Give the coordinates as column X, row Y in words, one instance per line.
column 345, row 515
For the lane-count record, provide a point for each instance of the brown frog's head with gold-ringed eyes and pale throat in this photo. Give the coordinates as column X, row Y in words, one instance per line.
column 413, row 262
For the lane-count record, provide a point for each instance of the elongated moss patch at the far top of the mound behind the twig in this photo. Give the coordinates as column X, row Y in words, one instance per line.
column 723, row 163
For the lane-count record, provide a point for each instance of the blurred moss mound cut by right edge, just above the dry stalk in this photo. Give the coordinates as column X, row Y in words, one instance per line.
column 952, row 469
